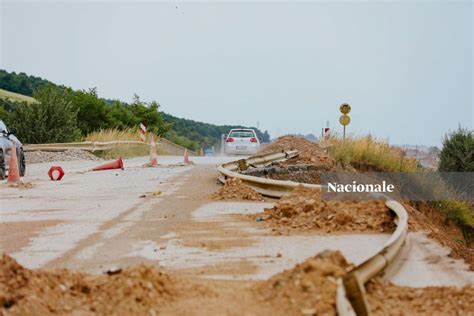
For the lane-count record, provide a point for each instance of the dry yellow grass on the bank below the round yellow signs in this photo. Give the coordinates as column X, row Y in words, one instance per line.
column 370, row 151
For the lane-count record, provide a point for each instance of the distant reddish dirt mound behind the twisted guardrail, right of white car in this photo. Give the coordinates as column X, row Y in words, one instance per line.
column 309, row 152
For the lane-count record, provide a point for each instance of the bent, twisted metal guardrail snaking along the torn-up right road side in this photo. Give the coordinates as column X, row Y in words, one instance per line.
column 351, row 296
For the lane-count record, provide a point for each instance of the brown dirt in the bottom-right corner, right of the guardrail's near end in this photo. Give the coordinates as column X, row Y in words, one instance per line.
column 388, row 299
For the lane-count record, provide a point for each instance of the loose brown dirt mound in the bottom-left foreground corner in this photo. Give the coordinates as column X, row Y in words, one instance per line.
column 134, row 291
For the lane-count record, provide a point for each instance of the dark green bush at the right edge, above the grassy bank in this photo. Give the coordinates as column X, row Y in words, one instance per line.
column 457, row 153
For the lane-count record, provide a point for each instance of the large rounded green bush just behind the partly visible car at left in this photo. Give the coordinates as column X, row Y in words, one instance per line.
column 51, row 119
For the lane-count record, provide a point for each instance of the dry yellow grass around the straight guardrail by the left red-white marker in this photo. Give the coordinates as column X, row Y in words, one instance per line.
column 125, row 150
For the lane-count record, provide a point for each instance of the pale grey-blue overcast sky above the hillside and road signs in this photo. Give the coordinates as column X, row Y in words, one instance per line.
column 404, row 66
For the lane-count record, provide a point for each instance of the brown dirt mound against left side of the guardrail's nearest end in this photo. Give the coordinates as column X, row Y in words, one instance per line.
column 307, row 289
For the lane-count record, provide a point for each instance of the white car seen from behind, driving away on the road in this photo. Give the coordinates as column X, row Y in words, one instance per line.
column 242, row 141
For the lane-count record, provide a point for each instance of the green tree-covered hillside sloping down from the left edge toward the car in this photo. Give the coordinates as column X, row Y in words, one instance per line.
column 86, row 112
